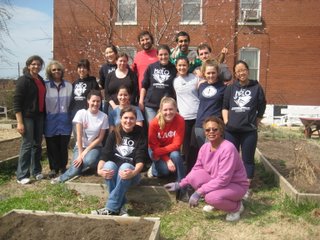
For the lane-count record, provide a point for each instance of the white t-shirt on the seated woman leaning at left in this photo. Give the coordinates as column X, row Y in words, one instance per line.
column 91, row 124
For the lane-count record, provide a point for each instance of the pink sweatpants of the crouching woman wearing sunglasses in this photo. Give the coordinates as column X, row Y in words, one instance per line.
column 227, row 199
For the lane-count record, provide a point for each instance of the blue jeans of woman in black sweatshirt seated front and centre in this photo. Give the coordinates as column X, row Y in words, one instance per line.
column 118, row 187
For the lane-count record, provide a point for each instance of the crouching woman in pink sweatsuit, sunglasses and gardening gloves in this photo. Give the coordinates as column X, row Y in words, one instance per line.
column 218, row 175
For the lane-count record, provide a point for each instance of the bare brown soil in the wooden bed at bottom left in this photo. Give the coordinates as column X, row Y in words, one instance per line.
column 26, row 226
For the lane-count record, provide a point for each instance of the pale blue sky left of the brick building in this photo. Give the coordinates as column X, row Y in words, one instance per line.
column 31, row 30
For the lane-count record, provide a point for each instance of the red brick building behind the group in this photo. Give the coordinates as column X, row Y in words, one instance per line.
column 279, row 39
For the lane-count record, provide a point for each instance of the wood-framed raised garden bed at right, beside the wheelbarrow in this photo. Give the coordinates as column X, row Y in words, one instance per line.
column 295, row 164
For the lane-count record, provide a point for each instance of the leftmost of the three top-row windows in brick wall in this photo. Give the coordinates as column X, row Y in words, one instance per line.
column 127, row 12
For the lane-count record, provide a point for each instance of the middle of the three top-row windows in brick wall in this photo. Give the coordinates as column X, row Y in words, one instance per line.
column 191, row 12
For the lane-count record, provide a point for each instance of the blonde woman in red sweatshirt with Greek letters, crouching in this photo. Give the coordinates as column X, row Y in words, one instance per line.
column 166, row 134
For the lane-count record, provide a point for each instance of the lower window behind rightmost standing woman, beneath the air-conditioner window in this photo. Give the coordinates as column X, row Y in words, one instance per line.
column 252, row 57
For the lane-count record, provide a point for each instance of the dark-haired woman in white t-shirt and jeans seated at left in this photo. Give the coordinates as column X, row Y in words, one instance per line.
column 91, row 125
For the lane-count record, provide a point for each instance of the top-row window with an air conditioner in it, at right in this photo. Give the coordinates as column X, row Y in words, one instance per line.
column 250, row 12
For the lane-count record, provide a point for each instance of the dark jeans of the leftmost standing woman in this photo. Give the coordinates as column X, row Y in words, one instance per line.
column 30, row 150
